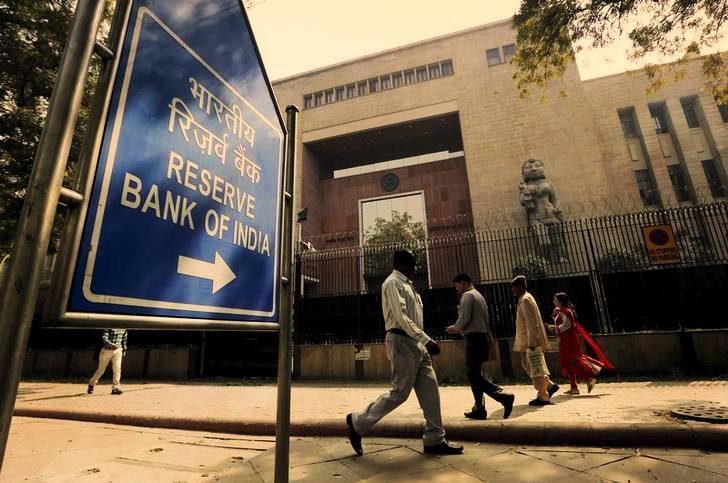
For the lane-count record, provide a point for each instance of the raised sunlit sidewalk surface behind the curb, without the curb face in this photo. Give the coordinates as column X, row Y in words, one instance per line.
column 620, row 402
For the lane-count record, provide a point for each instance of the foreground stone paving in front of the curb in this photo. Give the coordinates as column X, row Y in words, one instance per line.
column 71, row 451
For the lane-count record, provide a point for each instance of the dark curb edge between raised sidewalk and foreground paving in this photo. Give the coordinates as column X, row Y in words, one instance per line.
column 664, row 435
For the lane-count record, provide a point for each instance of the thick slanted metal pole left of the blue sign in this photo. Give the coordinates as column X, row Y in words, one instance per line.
column 20, row 292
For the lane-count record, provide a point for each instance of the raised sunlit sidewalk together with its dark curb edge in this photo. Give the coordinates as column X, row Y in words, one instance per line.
column 632, row 414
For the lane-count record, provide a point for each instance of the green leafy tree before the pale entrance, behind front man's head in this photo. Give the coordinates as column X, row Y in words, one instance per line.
column 385, row 236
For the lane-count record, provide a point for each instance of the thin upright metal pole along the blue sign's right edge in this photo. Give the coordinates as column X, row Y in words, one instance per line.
column 288, row 282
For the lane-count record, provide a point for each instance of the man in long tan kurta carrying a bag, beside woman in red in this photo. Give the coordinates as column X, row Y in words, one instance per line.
column 531, row 342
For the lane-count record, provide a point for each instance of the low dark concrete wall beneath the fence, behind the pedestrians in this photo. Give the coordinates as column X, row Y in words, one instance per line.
column 635, row 354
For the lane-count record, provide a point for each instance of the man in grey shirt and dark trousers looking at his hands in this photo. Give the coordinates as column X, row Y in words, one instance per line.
column 472, row 323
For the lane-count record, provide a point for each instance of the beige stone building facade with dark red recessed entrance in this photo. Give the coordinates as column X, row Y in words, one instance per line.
column 442, row 120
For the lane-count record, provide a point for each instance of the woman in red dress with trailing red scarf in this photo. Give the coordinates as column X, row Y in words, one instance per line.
column 574, row 363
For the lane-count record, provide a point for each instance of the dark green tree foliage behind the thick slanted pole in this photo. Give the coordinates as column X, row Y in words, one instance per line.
column 32, row 37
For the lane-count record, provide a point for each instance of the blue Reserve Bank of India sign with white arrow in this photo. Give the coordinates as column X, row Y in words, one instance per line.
column 184, row 215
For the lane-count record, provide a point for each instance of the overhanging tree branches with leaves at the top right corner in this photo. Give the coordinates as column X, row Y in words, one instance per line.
column 551, row 31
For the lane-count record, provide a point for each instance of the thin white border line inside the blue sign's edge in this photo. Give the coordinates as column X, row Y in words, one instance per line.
column 111, row 157
